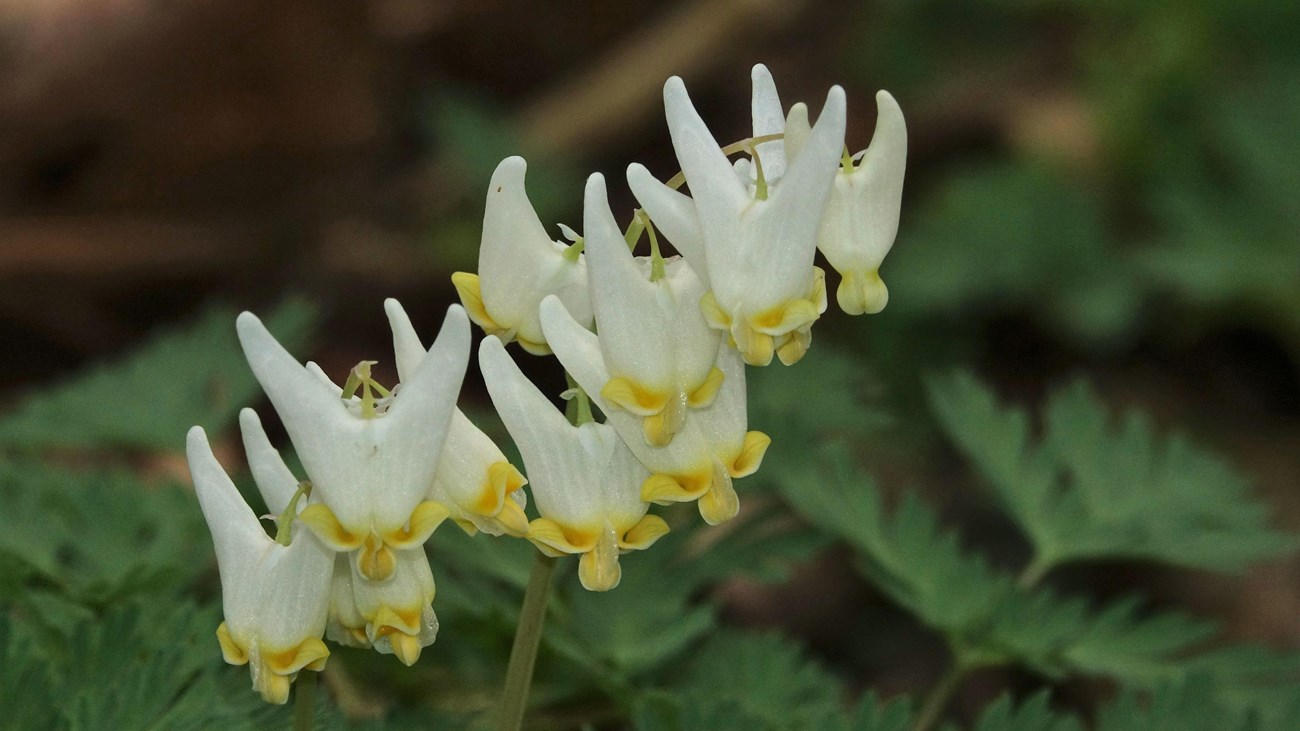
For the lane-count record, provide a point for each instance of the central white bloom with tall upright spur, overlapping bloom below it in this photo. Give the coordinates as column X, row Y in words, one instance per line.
column 657, row 345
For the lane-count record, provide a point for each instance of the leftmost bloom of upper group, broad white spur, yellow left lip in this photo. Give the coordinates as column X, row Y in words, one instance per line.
column 518, row 266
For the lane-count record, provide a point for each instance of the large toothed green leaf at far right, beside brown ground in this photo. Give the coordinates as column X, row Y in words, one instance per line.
column 1090, row 488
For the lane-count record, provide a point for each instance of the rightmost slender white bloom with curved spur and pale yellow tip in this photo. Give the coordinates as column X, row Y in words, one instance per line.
column 863, row 217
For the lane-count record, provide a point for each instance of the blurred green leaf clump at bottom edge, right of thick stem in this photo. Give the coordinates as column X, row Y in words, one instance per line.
column 740, row 682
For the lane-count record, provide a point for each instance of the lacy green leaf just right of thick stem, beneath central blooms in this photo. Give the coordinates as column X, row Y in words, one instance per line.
column 656, row 616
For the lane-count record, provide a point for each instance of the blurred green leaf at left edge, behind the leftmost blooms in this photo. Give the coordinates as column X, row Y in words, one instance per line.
column 154, row 396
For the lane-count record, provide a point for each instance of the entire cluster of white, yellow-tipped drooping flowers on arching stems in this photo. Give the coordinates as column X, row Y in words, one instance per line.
column 660, row 345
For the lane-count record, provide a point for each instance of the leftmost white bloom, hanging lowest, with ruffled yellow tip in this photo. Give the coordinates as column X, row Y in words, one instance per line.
column 275, row 598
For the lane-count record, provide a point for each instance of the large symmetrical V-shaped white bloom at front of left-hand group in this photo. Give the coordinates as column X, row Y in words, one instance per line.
column 371, row 464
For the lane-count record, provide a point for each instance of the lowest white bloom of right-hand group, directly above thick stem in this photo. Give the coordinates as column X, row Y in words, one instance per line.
column 586, row 483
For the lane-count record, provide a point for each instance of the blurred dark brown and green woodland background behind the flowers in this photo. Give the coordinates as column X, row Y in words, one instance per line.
column 1095, row 188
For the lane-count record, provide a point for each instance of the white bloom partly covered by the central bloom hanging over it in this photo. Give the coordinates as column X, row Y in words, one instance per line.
column 713, row 447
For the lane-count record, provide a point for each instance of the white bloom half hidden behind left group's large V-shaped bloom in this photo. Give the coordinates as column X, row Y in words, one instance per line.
column 474, row 482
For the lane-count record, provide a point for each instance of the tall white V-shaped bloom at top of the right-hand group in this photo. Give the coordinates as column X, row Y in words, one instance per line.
column 753, row 243
